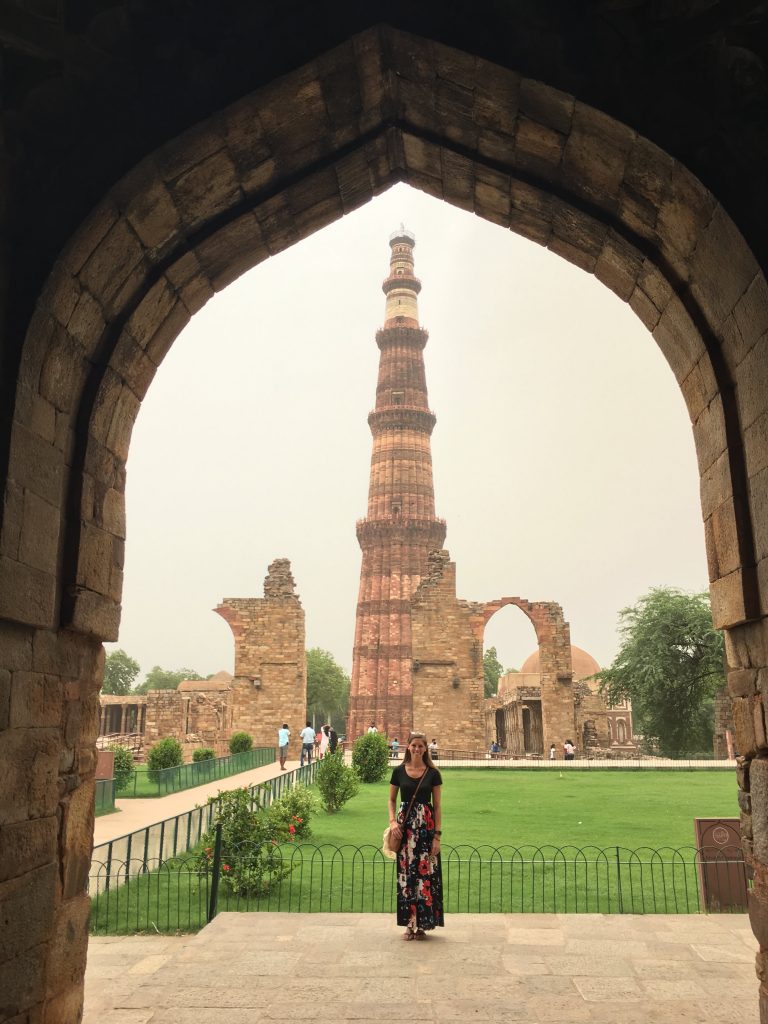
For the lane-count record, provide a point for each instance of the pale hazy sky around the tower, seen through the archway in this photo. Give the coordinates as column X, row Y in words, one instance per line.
column 564, row 457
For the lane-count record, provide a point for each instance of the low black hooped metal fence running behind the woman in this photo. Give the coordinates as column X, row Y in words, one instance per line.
column 184, row 894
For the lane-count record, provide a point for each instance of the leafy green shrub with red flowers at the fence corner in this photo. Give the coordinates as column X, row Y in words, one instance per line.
column 251, row 862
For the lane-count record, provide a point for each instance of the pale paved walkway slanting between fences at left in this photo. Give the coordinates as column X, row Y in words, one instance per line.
column 135, row 815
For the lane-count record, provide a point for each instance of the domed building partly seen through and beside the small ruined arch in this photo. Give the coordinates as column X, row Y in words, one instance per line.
column 515, row 716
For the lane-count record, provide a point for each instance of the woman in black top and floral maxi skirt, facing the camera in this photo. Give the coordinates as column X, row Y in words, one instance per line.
column 418, row 830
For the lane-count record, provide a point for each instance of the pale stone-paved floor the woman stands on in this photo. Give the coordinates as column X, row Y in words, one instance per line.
column 514, row 968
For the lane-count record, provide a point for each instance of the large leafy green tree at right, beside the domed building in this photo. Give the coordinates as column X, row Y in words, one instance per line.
column 670, row 665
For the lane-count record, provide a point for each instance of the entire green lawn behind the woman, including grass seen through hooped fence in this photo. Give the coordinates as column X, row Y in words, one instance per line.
column 482, row 809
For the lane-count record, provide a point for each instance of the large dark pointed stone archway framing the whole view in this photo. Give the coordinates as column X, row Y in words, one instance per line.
column 244, row 185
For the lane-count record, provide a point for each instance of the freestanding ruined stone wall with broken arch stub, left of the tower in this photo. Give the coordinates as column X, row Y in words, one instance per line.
column 270, row 682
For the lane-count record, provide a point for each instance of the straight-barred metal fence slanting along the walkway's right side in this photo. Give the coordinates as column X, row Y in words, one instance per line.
column 133, row 855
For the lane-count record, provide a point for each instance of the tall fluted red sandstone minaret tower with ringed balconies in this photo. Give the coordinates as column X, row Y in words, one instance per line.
column 401, row 528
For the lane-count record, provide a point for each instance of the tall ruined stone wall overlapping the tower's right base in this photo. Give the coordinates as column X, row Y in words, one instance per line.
column 448, row 661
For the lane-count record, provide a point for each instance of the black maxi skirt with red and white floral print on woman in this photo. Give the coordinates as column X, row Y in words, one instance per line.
column 419, row 876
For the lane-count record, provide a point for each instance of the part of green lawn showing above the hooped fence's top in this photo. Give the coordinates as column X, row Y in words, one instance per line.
column 521, row 808
